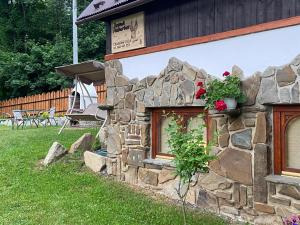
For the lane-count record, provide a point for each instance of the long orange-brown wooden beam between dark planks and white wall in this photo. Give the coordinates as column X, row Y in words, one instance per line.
column 208, row 38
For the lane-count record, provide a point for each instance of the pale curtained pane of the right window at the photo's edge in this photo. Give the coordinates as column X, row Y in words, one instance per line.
column 293, row 144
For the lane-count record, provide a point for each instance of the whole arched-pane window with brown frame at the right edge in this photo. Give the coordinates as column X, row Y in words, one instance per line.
column 286, row 140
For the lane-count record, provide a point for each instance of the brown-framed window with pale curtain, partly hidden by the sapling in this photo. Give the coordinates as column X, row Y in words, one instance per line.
column 160, row 121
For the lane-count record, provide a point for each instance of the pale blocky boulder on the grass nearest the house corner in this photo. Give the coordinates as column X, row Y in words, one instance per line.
column 94, row 161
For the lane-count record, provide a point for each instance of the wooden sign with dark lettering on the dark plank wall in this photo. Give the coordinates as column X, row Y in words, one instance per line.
column 128, row 33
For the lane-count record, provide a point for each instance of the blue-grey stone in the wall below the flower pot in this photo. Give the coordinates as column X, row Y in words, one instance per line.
column 242, row 139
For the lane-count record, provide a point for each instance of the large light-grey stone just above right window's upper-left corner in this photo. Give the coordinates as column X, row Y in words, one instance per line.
column 268, row 91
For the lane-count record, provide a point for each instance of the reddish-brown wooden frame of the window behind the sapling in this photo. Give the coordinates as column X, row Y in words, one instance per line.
column 156, row 121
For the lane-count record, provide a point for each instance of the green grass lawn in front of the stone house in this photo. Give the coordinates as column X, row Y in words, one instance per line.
column 66, row 193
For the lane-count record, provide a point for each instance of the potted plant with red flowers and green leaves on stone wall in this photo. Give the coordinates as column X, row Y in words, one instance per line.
column 221, row 94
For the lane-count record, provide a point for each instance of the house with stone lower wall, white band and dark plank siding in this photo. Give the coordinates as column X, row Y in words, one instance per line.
column 165, row 44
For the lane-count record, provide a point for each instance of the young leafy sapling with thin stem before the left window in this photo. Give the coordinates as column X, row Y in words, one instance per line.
column 191, row 154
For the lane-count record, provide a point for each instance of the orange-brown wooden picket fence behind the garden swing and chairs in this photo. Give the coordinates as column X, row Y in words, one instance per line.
column 57, row 99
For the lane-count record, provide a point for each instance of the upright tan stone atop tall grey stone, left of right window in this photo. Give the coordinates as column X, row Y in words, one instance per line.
column 260, row 135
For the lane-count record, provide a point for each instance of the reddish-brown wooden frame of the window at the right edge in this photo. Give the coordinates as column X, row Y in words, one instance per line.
column 282, row 115
